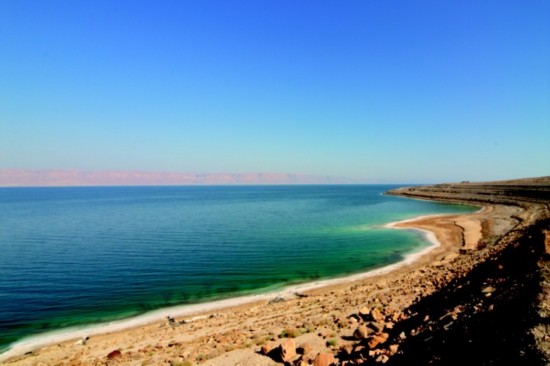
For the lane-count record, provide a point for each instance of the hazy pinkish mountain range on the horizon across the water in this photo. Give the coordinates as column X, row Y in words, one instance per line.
column 55, row 177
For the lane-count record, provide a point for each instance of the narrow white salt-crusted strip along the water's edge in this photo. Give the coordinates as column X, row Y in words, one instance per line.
column 36, row 342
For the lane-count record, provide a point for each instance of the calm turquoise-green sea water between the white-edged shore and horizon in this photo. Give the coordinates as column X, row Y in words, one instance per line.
column 74, row 256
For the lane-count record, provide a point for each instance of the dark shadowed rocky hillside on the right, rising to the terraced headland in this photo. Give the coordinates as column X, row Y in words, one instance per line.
column 504, row 300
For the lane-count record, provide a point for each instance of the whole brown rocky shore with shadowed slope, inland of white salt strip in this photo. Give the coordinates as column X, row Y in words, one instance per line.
column 439, row 305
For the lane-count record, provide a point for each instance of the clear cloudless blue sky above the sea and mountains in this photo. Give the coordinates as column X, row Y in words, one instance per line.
column 389, row 91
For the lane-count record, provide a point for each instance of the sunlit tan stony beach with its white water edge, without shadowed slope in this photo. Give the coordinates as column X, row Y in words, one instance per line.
column 370, row 318
